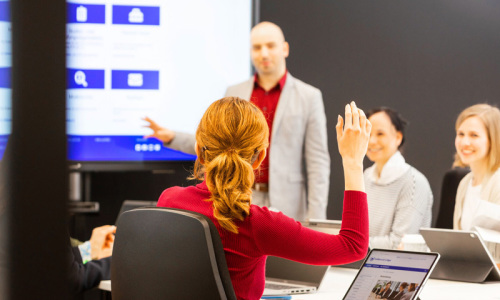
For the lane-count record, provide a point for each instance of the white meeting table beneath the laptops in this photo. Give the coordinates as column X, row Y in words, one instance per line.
column 338, row 280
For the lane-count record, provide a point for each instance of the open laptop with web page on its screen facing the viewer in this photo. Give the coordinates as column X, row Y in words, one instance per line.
column 392, row 273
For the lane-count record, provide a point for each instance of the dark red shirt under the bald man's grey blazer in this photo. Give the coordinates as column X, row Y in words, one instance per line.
column 267, row 101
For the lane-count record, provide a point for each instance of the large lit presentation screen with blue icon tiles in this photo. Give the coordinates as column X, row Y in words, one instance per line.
column 164, row 59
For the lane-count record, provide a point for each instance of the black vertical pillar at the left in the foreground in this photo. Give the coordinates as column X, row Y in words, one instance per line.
column 37, row 175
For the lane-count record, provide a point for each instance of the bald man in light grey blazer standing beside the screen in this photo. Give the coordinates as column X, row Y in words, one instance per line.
column 294, row 178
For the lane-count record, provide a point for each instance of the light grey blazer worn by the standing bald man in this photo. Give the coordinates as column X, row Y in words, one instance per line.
column 299, row 162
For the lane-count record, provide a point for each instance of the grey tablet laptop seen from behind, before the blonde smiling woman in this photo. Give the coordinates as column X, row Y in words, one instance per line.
column 464, row 256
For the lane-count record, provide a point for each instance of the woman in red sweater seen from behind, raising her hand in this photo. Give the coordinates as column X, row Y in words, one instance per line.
column 231, row 142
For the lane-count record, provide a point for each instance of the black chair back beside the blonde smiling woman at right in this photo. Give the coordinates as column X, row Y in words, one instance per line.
column 449, row 188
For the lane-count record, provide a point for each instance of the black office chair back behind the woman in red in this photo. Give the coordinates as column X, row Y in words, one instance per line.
column 165, row 253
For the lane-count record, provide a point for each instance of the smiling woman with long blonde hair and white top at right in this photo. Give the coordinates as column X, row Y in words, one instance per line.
column 478, row 144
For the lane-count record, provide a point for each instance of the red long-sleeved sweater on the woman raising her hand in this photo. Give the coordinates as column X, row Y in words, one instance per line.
column 265, row 232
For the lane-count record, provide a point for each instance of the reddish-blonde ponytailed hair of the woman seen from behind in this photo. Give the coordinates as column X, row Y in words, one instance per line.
column 230, row 136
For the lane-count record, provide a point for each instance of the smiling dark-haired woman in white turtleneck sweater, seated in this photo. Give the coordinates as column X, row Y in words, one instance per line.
column 399, row 196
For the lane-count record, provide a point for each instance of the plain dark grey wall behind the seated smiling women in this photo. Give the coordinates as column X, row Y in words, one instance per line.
column 428, row 59
